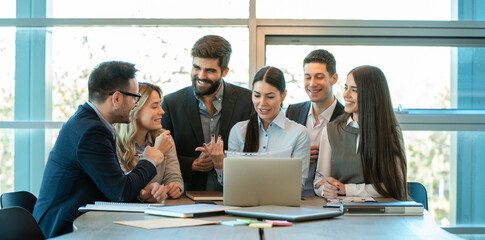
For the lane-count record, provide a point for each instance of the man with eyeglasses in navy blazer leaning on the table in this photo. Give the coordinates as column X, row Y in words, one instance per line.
column 83, row 167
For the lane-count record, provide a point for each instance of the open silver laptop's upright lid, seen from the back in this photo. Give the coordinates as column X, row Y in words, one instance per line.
column 262, row 181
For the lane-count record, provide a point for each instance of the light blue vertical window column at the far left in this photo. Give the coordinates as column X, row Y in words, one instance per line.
column 30, row 97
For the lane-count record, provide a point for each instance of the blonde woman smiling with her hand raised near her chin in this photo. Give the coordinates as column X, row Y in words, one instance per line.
column 145, row 129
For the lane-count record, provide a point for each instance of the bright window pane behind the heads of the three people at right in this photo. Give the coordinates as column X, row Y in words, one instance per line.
column 419, row 77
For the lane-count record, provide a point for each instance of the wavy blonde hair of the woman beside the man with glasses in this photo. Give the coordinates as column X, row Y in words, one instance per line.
column 125, row 143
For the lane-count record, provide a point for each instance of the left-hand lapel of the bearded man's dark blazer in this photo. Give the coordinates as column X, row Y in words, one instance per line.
column 191, row 106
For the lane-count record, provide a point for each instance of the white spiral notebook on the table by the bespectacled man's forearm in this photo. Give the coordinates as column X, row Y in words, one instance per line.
column 118, row 206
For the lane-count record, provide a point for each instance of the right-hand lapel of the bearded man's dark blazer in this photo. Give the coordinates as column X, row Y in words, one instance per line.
column 228, row 106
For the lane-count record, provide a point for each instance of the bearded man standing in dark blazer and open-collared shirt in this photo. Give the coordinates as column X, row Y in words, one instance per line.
column 210, row 107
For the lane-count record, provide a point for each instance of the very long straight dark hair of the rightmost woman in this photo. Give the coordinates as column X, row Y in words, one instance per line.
column 381, row 146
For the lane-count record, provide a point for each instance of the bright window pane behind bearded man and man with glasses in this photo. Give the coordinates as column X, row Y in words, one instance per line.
column 162, row 56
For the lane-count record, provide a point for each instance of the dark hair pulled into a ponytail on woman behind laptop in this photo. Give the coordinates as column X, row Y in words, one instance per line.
column 275, row 78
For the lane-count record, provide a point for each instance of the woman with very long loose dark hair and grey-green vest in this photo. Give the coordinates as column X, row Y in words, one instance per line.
column 362, row 154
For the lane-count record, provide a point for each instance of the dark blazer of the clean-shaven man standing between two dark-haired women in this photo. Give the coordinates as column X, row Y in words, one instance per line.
column 298, row 112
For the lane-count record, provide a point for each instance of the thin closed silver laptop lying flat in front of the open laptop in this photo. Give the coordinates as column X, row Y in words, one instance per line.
column 294, row 214
